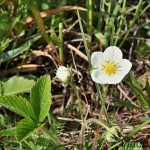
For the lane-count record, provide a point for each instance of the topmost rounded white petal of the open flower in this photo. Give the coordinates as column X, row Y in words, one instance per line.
column 112, row 53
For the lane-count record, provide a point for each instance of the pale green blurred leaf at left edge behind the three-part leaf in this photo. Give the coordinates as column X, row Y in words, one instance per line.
column 16, row 84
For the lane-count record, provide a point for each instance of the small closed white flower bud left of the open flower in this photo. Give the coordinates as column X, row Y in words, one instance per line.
column 63, row 74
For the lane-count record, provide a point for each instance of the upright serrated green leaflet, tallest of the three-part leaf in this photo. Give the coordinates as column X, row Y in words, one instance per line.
column 40, row 97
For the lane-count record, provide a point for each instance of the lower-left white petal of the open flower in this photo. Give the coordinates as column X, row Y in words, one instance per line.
column 98, row 76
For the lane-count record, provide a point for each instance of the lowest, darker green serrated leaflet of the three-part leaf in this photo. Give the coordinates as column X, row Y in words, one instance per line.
column 26, row 128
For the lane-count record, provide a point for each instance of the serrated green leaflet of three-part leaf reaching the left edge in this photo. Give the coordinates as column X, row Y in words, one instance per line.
column 18, row 105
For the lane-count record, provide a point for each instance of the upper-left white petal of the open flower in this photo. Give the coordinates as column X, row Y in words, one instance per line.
column 96, row 59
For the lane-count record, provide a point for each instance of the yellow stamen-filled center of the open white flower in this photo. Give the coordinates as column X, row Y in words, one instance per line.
column 110, row 67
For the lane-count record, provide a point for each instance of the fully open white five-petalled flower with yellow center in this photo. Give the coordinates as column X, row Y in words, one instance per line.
column 109, row 67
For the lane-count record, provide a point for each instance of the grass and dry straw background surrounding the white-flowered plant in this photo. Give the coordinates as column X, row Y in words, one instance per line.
column 38, row 36
